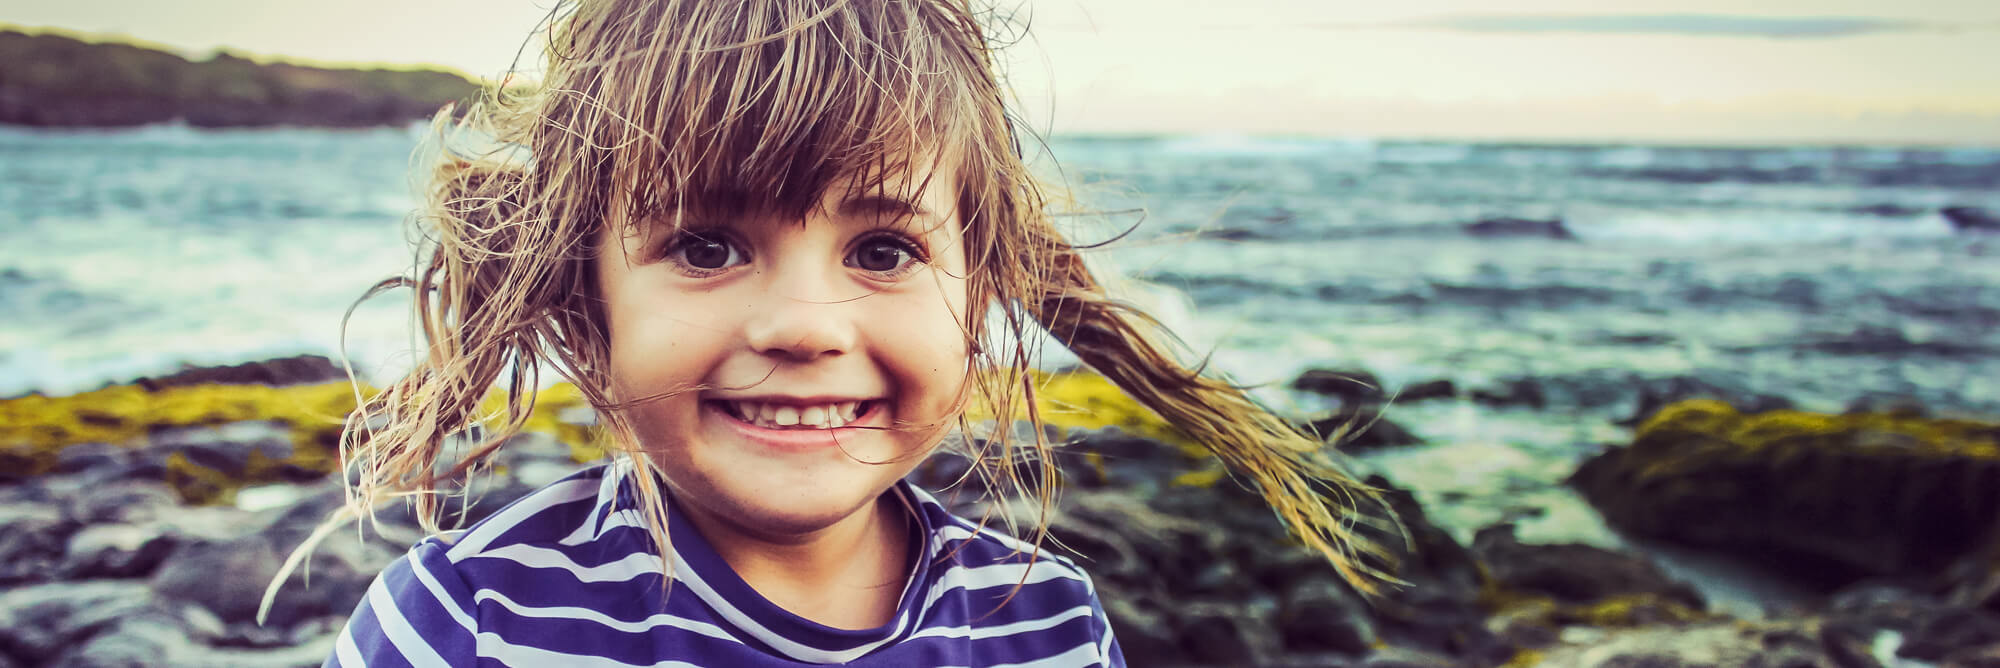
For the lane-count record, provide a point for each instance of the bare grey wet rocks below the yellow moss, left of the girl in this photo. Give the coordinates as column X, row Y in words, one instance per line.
column 127, row 575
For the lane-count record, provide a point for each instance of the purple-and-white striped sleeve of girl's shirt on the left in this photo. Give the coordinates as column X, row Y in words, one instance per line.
column 417, row 613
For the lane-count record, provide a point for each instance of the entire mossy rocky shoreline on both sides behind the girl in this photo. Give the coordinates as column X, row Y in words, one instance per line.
column 121, row 507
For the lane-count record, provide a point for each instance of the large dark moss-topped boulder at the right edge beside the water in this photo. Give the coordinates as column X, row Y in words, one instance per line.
column 1827, row 497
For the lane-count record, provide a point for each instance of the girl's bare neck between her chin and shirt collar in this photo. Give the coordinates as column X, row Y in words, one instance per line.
column 849, row 575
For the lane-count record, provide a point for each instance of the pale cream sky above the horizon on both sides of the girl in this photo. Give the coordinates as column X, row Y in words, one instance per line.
column 1667, row 71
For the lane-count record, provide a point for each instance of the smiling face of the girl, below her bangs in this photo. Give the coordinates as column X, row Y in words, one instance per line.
column 829, row 351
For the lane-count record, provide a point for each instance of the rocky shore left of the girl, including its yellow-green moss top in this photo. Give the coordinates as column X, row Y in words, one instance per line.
column 133, row 551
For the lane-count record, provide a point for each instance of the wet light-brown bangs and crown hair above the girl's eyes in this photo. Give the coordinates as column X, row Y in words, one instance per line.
column 763, row 109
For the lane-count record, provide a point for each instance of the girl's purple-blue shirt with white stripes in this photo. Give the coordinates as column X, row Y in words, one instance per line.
column 571, row 577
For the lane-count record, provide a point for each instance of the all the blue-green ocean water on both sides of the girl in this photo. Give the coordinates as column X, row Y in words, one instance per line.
column 1821, row 275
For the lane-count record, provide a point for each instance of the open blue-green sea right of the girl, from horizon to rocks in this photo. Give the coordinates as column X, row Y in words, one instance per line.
column 1821, row 275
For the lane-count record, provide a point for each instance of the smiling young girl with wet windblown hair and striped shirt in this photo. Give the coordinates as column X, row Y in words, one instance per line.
column 769, row 243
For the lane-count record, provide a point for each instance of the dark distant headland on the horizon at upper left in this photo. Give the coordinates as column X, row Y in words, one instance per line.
column 55, row 81
